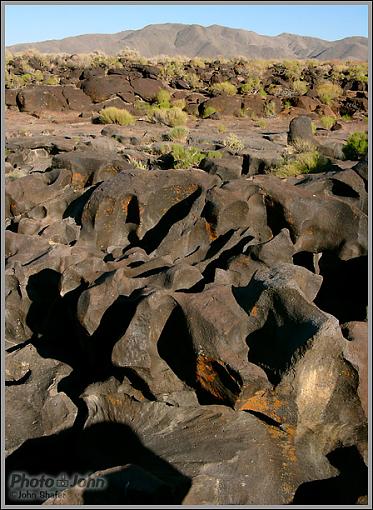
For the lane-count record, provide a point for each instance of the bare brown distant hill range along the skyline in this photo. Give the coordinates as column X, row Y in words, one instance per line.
column 212, row 41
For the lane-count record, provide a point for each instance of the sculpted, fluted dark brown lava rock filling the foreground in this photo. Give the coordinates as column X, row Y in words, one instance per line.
column 186, row 336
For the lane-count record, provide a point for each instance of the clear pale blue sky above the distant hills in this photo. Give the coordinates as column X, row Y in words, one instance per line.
column 31, row 23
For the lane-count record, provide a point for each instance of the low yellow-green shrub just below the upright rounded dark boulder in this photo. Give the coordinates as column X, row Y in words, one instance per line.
column 303, row 163
